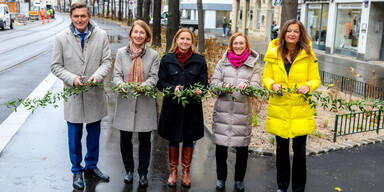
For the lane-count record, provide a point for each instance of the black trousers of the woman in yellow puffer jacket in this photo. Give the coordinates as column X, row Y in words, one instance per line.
column 299, row 167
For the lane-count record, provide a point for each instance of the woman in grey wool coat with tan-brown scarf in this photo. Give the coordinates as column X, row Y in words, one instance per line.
column 136, row 63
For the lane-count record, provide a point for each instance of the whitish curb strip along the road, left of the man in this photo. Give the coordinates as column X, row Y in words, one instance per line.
column 12, row 124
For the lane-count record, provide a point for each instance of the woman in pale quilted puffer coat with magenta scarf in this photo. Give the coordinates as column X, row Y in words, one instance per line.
column 232, row 118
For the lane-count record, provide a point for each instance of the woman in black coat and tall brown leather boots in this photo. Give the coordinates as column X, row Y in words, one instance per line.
column 181, row 68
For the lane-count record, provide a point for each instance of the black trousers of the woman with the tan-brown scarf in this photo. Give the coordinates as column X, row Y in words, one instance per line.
column 144, row 151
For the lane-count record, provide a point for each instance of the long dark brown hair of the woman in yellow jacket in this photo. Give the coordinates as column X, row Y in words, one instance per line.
column 303, row 42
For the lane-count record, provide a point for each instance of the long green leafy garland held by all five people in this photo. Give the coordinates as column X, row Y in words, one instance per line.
column 134, row 90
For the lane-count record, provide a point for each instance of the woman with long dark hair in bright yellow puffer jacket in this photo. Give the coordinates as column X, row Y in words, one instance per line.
column 289, row 63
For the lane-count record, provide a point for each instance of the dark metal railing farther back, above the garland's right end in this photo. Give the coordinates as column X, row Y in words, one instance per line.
column 348, row 85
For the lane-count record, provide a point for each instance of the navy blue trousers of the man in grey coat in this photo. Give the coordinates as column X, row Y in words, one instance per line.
column 75, row 133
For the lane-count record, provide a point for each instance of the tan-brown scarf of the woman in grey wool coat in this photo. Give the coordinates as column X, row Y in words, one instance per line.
column 136, row 73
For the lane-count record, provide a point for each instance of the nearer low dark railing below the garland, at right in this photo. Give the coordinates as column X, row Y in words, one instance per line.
column 347, row 124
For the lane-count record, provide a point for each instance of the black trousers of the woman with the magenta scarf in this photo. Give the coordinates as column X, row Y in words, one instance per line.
column 240, row 166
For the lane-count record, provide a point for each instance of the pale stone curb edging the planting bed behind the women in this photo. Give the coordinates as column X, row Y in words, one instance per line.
column 258, row 151
